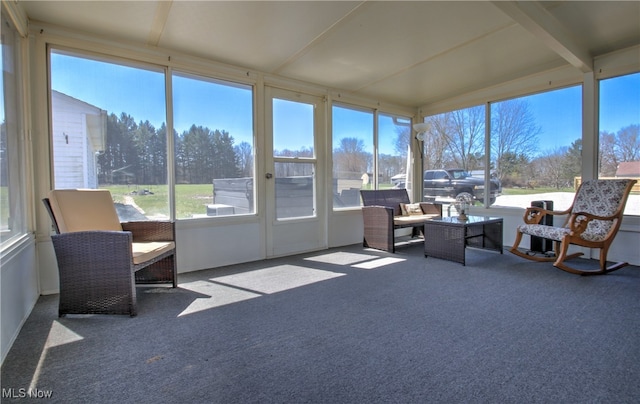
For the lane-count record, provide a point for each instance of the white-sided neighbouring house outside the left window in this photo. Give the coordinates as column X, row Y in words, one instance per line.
column 79, row 133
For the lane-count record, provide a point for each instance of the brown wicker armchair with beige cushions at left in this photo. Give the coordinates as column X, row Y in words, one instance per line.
column 100, row 260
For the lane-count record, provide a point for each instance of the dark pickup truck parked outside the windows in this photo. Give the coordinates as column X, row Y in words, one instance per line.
column 459, row 184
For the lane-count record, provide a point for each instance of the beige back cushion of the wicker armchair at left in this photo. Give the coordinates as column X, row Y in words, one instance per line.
column 84, row 210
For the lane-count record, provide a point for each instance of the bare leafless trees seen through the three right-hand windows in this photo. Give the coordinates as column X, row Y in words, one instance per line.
column 456, row 139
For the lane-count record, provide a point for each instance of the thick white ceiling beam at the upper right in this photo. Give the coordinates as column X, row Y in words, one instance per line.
column 532, row 16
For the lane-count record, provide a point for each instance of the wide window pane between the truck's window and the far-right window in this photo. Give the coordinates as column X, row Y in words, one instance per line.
column 536, row 147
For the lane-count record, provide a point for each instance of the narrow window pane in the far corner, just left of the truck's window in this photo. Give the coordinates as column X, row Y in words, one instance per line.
column 393, row 149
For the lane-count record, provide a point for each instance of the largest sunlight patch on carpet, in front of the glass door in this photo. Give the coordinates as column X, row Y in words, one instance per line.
column 276, row 279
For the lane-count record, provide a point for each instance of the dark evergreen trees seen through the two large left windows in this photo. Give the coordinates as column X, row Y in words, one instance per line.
column 136, row 153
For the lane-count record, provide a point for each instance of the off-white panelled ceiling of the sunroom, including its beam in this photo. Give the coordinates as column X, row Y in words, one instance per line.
column 410, row 53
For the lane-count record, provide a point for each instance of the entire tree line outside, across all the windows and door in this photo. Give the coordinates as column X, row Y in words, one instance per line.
column 135, row 153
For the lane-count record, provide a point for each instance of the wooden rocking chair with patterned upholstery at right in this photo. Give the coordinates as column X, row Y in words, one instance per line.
column 593, row 222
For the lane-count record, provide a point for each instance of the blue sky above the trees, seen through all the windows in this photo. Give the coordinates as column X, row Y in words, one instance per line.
column 141, row 94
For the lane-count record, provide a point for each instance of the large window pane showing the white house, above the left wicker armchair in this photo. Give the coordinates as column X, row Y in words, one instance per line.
column 109, row 131
